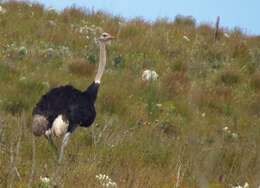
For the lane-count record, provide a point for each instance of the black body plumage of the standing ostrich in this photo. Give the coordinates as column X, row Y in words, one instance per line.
column 78, row 107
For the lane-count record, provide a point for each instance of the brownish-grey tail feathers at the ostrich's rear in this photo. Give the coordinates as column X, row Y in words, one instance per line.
column 39, row 125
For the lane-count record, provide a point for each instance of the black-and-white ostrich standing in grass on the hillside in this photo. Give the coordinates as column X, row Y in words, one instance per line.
column 62, row 109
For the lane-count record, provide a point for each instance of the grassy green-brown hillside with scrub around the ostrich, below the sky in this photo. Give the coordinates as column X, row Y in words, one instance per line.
column 198, row 125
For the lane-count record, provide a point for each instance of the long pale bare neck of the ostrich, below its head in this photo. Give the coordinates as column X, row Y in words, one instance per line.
column 102, row 62
